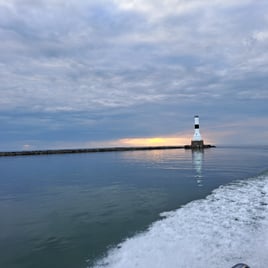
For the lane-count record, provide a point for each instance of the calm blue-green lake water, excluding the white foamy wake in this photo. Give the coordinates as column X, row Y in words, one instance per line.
column 69, row 210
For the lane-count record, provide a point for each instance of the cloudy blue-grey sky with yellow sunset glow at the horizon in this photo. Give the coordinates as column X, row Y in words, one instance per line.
column 99, row 73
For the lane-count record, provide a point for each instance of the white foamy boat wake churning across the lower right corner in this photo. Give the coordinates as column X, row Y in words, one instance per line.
column 227, row 227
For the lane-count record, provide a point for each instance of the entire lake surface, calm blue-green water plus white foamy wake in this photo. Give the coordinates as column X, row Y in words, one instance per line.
column 162, row 208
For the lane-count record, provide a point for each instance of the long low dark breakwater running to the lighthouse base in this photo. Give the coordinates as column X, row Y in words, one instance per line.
column 97, row 150
